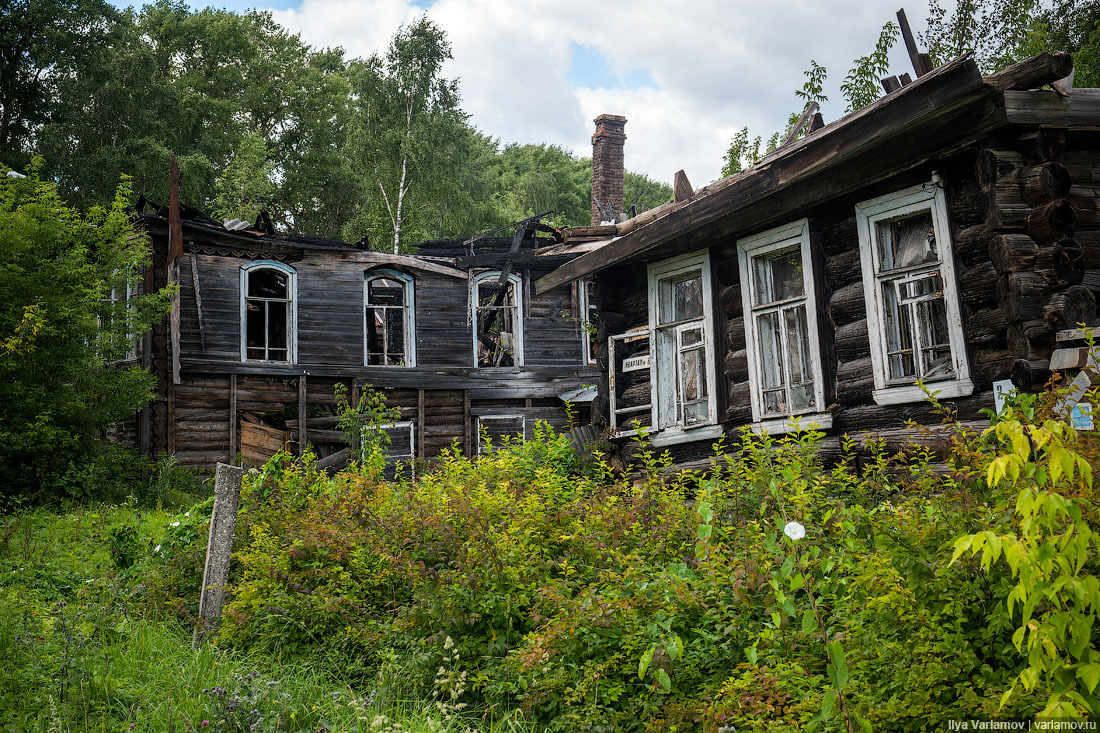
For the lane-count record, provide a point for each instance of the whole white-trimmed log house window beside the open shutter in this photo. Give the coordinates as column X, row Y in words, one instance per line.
column 681, row 316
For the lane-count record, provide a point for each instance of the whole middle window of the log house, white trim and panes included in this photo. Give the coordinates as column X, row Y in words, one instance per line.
column 784, row 344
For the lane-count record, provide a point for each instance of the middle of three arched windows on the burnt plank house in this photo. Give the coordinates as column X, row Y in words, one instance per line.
column 389, row 320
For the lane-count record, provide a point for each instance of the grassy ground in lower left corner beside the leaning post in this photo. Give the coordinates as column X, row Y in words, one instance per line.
column 83, row 653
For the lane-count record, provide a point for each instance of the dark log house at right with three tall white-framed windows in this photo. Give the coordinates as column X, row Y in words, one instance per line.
column 942, row 236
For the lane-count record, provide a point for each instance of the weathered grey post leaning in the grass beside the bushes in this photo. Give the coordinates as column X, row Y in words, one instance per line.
column 227, row 493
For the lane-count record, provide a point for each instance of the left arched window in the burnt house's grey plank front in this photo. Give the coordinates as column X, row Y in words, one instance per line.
column 268, row 313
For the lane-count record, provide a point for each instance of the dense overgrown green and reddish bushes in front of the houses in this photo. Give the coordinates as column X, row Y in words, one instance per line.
column 775, row 593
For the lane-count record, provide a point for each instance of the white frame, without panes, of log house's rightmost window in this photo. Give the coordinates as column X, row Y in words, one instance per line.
column 925, row 198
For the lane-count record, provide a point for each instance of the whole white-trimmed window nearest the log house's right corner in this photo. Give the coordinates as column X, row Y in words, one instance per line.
column 914, row 314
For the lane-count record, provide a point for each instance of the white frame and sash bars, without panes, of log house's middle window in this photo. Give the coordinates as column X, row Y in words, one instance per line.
column 788, row 238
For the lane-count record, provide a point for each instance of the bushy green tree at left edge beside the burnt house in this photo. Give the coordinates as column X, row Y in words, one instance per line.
column 63, row 334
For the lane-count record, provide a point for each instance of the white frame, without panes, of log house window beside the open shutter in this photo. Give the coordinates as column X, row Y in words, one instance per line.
column 663, row 363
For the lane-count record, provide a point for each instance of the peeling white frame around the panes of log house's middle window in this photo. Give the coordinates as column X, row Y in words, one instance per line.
column 796, row 234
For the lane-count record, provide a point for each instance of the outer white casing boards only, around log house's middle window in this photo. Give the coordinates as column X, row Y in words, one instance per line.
column 797, row 233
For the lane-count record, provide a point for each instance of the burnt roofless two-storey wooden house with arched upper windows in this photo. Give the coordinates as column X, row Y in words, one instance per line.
column 267, row 325
